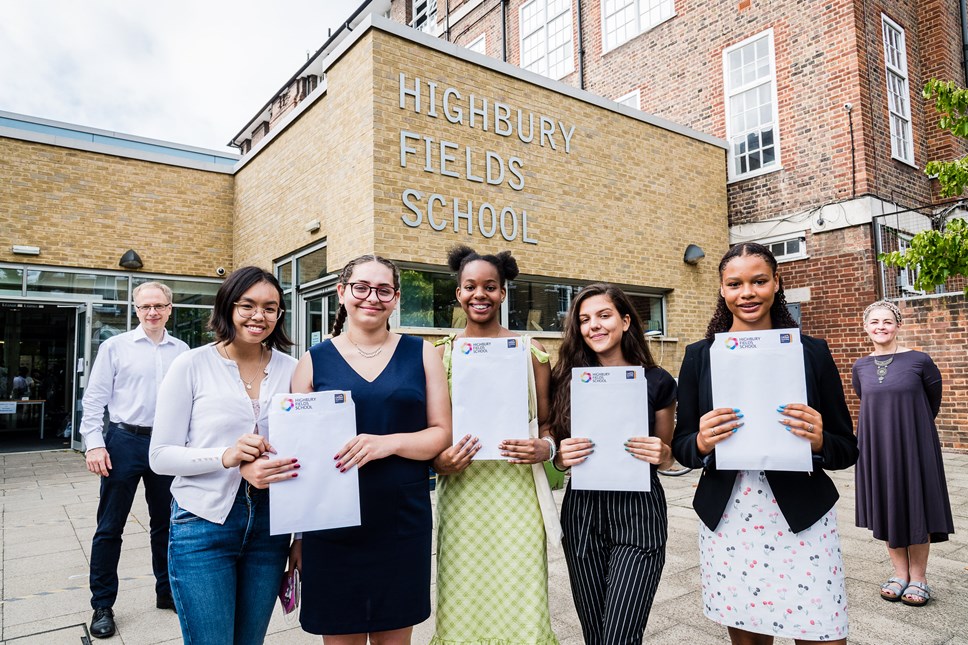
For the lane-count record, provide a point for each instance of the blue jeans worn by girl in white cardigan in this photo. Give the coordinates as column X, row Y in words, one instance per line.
column 225, row 577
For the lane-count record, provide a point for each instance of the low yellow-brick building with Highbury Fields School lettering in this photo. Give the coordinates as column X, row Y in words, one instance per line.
column 405, row 146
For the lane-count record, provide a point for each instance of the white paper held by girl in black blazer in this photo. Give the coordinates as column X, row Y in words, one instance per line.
column 756, row 372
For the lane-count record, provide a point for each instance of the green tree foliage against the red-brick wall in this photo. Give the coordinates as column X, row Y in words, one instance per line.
column 938, row 255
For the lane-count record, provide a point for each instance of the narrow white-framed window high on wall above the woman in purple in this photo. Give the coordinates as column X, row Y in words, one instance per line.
column 898, row 91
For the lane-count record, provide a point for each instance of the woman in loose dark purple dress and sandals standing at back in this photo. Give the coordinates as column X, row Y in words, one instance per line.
column 901, row 492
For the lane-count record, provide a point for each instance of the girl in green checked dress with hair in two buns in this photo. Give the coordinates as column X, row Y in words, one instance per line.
column 492, row 566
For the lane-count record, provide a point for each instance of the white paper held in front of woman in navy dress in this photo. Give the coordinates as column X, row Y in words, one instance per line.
column 312, row 428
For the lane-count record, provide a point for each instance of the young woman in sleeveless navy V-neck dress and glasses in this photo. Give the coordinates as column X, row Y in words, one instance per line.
column 373, row 581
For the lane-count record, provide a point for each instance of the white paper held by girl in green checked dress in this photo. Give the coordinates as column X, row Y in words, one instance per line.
column 489, row 392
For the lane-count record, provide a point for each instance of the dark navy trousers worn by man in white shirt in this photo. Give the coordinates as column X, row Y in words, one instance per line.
column 129, row 465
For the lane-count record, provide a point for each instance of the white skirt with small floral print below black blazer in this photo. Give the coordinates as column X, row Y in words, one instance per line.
column 759, row 576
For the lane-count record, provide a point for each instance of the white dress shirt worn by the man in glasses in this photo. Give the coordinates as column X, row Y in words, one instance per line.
column 126, row 376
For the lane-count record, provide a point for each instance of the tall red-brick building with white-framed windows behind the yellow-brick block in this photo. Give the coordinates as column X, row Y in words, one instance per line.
column 820, row 105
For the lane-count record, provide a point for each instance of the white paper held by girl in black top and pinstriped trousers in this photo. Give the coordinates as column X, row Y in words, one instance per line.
column 610, row 405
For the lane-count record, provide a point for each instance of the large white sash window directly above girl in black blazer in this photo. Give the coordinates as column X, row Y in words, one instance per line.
column 752, row 126
